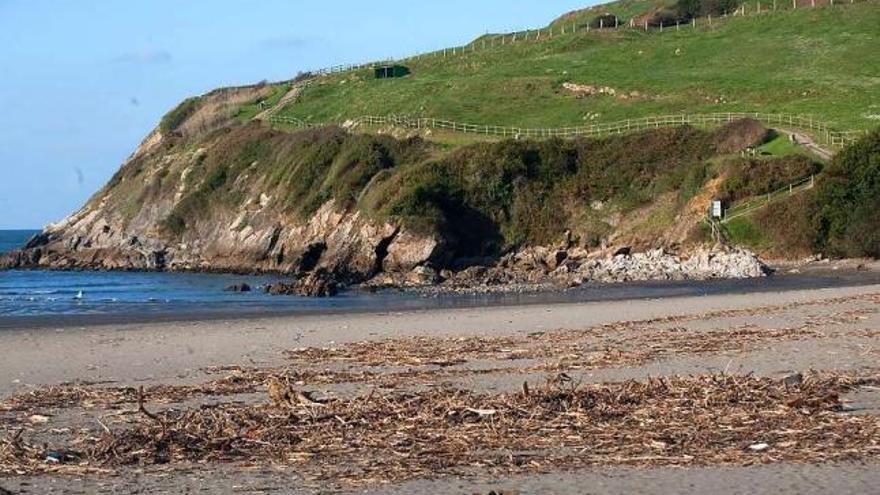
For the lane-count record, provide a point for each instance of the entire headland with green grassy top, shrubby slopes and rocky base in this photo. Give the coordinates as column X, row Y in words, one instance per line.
column 258, row 178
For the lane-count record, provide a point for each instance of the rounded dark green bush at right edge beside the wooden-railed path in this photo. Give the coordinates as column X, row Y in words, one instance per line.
column 849, row 195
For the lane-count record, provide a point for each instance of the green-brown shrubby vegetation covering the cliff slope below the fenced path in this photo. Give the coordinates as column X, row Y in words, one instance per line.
column 481, row 199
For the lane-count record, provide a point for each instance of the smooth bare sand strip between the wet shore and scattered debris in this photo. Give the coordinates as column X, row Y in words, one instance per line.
column 148, row 352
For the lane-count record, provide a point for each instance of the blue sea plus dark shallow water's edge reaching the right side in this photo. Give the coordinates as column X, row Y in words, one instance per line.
column 49, row 297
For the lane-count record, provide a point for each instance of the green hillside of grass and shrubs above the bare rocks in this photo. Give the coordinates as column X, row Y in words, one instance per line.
column 482, row 195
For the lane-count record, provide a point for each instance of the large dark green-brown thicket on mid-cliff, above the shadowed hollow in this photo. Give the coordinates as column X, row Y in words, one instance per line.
column 529, row 192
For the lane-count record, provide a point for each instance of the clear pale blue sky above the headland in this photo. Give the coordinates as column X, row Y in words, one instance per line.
column 82, row 82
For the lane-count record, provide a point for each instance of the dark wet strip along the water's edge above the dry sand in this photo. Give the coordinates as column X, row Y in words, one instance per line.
column 417, row 299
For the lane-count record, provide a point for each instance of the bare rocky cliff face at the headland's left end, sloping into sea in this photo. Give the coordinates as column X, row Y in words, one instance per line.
column 244, row 226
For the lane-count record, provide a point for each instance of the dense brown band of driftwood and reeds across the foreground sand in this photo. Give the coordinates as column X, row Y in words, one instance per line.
column 705, row 420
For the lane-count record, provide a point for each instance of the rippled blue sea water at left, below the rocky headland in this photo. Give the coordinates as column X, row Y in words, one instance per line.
column 29, row 293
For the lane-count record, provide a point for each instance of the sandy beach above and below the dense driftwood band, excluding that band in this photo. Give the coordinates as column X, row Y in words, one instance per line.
column 830, row 330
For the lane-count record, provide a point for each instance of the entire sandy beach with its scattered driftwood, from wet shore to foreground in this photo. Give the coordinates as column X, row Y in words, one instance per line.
column 64, row 385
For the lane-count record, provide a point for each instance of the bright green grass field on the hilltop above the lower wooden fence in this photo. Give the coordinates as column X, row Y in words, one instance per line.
column 821, row 61
